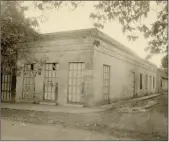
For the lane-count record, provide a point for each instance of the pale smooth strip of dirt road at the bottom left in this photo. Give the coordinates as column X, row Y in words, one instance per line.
column 12, row 130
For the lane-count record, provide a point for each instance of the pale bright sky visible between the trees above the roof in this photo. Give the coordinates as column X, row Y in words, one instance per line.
column 64, row 20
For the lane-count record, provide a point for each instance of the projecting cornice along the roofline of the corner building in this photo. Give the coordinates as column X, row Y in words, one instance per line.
column 89, row 34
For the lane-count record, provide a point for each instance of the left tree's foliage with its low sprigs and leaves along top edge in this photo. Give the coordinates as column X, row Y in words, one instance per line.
column 15, row 28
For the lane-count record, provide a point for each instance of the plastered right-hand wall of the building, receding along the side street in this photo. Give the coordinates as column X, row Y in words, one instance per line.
column 121, row 68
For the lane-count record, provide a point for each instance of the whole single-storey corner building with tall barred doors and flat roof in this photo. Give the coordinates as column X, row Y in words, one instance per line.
column 82, row 67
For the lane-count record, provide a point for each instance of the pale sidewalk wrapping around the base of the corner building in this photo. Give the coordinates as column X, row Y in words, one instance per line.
column 66, row 109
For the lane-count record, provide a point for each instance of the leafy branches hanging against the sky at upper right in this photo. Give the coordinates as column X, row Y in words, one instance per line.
column 131, row 15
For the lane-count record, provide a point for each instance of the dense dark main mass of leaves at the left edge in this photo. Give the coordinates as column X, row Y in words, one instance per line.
column 15, row 28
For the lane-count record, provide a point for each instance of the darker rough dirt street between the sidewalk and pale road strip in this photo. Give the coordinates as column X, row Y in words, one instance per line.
column 131, row 121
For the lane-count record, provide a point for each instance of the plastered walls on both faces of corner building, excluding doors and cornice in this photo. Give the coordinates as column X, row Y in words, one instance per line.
column 64, row 51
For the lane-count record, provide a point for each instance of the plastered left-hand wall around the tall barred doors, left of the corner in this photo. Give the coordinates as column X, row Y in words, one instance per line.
column 62, row 52
